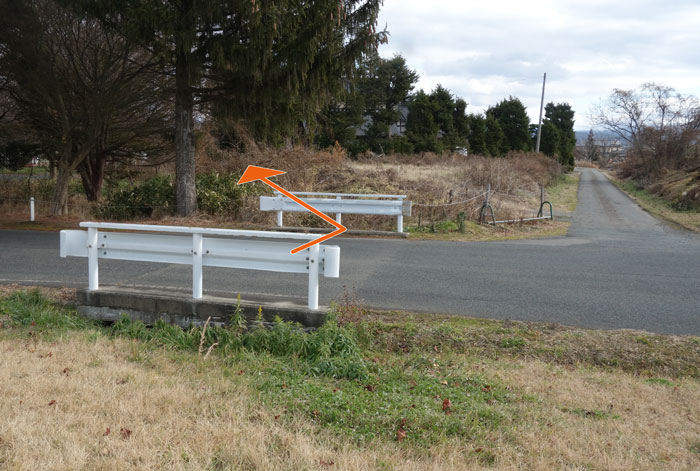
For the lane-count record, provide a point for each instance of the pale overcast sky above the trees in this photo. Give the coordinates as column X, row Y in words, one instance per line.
column 487, row 50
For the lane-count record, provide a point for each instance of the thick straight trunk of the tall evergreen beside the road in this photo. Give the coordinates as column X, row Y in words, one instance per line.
column 186, row 195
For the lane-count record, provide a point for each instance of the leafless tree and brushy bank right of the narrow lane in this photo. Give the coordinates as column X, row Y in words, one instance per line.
column 660, row 129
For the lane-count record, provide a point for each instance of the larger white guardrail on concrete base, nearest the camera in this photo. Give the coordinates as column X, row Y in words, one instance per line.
column 201, row 247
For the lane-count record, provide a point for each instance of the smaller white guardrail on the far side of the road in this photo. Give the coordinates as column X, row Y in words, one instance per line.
column 341, row 203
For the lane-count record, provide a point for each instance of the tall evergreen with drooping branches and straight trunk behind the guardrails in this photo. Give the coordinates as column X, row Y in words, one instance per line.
column 274, row 63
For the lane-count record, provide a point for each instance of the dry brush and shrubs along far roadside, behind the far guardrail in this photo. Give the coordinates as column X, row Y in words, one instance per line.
column 447, row 191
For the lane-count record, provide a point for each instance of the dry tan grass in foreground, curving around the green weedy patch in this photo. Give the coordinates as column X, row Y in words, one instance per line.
column 120, row 405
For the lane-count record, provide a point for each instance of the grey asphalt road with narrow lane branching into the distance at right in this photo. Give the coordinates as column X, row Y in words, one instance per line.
column 618, row 268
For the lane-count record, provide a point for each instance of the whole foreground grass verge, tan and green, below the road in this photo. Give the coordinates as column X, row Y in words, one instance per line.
column 370, row 390
